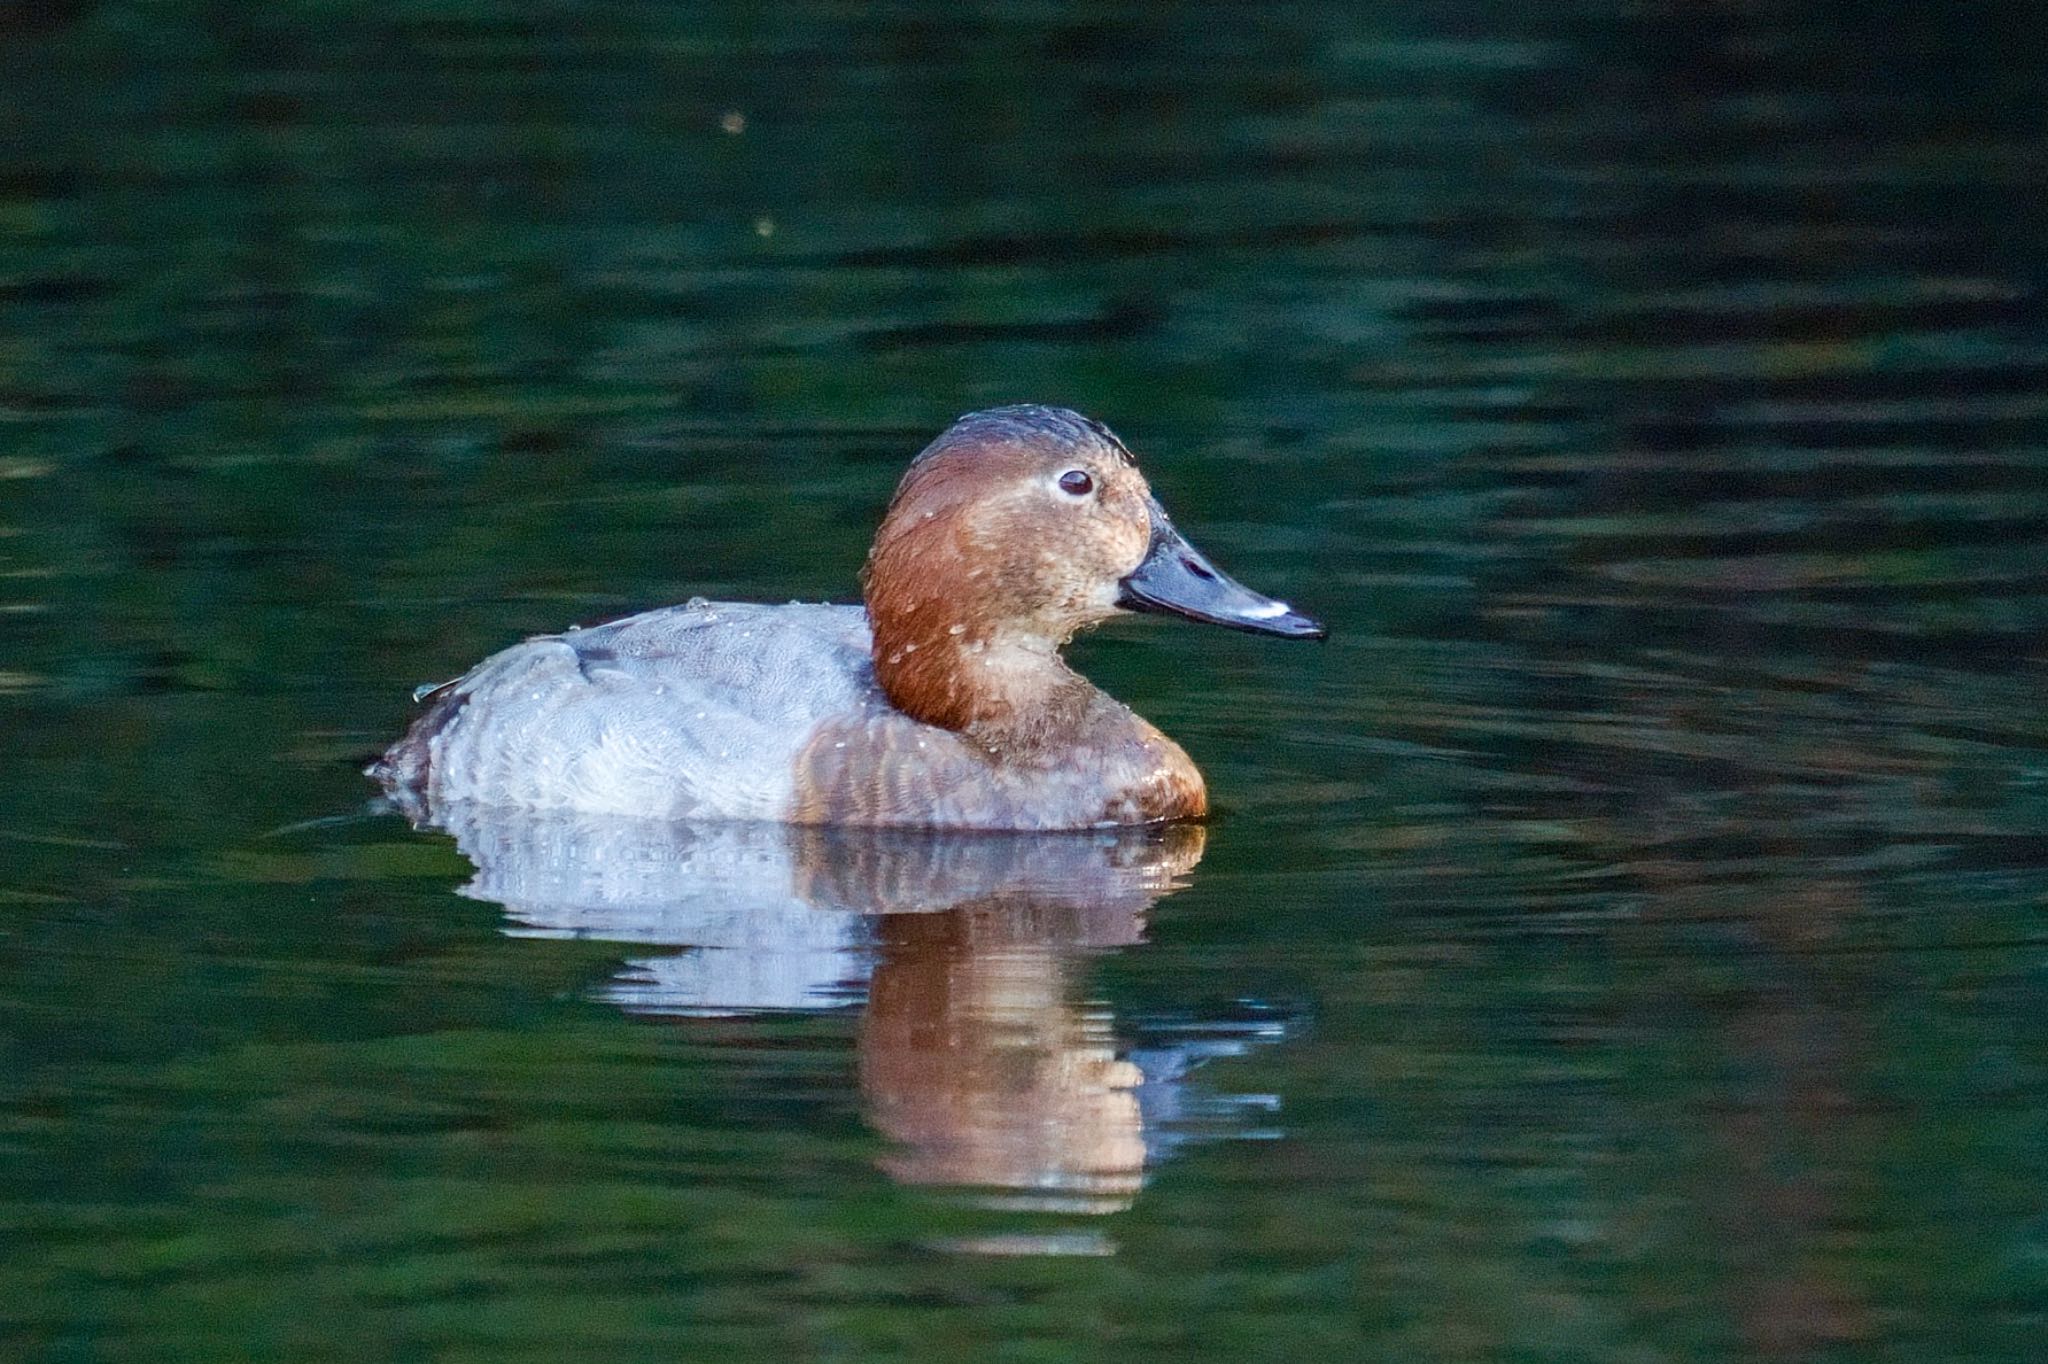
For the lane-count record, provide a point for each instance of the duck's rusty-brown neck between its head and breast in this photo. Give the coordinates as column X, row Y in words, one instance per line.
column 1005, row 691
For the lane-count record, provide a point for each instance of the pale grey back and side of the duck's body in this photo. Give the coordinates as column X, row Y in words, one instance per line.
column 685, row 714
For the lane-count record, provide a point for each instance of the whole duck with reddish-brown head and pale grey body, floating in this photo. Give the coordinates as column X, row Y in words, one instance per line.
column 941, row 701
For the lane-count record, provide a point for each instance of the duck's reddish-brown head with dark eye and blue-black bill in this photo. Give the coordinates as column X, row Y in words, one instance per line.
column 1021, row 527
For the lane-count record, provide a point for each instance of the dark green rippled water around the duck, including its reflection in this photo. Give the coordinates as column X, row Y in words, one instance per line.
column 1623, row 941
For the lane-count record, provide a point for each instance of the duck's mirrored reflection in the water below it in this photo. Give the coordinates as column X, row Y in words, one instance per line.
column 976, row 1054
